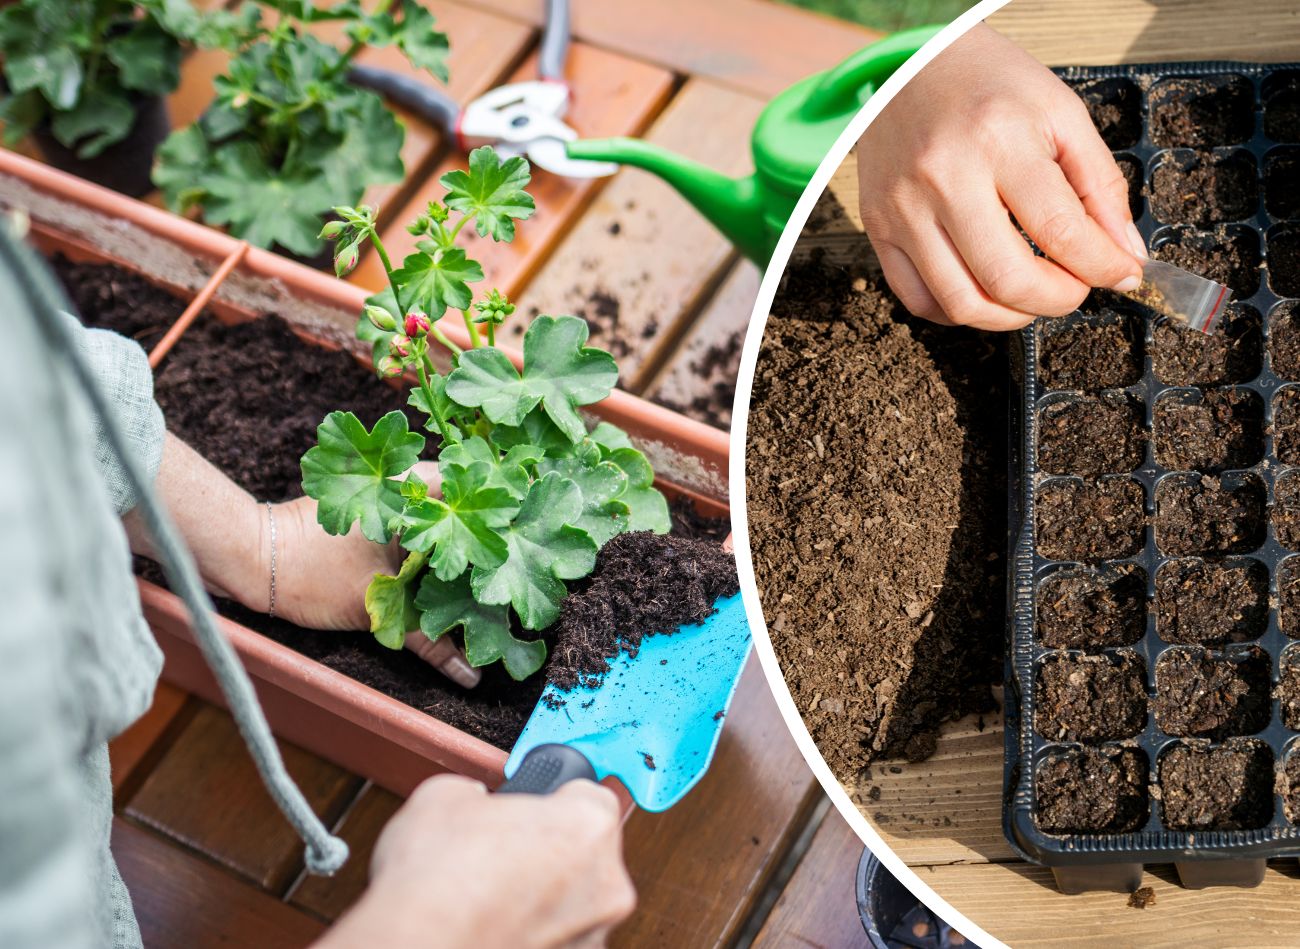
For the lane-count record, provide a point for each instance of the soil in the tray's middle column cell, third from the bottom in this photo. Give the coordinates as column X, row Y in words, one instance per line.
column 1211, row 604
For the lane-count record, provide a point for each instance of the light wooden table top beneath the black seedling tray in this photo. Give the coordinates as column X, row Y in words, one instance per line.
column 943, row 817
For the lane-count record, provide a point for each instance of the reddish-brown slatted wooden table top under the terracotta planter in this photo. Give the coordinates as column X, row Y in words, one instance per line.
column 752, row 851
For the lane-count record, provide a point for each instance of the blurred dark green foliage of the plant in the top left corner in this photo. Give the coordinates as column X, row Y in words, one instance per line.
column 81, row 67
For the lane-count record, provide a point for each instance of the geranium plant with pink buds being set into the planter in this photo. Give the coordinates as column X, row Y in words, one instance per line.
column 528, row 495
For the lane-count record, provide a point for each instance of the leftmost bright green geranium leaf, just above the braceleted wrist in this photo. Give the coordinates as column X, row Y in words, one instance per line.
column 352, row 473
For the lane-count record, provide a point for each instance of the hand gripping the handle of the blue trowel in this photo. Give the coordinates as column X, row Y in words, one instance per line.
column 461, row 868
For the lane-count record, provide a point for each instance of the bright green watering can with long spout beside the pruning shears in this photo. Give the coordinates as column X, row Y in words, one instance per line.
column 791, row 138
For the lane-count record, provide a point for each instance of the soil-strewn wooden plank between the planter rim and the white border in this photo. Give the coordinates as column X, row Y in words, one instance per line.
column 700, row 378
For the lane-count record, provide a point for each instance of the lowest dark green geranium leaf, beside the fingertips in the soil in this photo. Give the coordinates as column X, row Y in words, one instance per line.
column 447, row 605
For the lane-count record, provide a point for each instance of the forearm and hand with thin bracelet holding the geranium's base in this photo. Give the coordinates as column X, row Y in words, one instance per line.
column 320, row 579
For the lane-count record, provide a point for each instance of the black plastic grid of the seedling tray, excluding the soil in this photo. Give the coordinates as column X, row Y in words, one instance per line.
column 1204, row 857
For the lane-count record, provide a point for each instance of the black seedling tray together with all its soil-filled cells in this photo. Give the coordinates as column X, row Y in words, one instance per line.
column 1158, row 577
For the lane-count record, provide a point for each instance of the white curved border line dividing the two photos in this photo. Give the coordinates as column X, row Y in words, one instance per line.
column 736, row 474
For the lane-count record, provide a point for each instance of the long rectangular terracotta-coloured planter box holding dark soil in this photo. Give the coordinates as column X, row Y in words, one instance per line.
column 306, row 703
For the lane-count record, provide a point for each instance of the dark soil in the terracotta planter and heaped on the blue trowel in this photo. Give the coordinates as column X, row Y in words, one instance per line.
column 258, row 431
